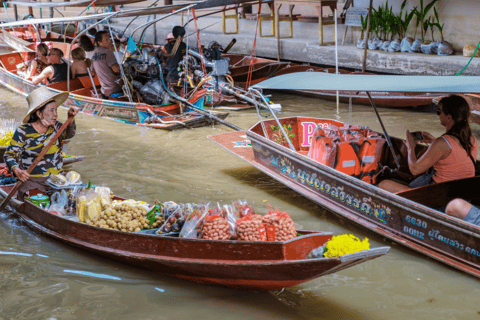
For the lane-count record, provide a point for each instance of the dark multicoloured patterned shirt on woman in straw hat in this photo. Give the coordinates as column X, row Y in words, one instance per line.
column 27, row 144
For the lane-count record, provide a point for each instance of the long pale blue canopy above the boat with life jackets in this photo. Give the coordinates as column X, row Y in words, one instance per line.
column 359, row 82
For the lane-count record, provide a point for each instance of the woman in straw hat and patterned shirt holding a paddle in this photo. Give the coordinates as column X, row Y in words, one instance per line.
column 39, row 126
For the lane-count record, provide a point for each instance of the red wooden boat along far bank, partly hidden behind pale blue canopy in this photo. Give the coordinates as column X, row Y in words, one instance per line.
column 263, row 70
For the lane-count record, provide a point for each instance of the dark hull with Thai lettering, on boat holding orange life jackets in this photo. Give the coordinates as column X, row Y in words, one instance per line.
column 407, row 222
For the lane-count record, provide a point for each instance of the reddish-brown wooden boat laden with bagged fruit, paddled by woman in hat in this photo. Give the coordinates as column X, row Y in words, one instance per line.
column 252, row 266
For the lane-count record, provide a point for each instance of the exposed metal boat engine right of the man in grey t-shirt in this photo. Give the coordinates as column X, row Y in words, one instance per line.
column 144, row 72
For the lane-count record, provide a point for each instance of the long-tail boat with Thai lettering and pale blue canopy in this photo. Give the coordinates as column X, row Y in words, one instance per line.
column 280, row 149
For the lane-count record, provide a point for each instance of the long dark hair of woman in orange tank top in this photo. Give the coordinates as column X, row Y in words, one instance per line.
column 457, row 107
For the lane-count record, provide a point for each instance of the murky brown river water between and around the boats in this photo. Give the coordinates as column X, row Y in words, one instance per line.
column 41, row 278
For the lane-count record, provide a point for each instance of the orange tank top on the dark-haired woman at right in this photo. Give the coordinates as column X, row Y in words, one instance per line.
column 457, row 165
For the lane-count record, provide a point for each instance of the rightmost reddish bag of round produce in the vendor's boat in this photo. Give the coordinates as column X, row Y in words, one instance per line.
column 279, row 225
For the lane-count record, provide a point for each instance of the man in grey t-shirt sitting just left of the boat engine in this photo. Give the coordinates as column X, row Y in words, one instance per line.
column 106, row 66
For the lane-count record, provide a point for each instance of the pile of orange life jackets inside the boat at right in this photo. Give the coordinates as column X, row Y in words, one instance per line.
column 353, row 150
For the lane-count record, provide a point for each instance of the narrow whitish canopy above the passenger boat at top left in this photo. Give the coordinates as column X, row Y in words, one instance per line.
column 100, row 16
